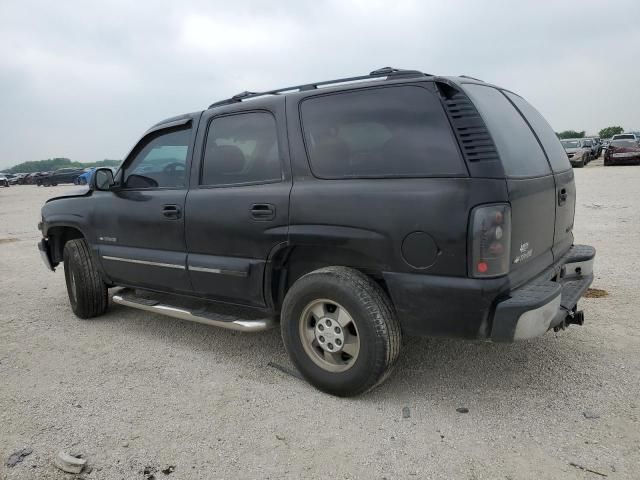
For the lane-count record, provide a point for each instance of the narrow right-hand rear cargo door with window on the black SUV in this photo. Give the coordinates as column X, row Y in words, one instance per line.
column 562, row 171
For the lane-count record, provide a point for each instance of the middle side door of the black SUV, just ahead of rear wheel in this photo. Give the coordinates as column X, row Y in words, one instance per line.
column 237, row 208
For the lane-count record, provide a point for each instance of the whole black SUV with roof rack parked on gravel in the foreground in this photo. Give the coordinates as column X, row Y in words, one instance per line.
column 355, row 211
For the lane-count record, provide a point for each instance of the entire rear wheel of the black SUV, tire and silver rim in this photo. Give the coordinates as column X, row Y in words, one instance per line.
column 340, row 330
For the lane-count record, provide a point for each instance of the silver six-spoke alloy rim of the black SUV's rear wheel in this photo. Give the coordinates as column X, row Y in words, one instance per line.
column 329, row 335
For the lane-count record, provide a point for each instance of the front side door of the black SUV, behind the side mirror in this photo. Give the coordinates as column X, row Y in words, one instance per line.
column 139, row 224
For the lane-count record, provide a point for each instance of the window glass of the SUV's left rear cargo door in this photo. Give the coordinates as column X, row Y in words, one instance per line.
column 519, row 150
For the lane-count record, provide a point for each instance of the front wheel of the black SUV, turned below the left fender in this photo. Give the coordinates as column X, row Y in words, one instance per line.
column 87, row 292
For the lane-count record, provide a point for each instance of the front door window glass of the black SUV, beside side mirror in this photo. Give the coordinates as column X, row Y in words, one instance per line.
column 161, row 163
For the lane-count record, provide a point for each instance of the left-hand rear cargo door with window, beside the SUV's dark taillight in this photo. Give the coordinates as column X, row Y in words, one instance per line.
column 530, row 181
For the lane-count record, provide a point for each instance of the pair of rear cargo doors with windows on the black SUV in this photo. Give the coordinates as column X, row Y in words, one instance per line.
column 542, row 201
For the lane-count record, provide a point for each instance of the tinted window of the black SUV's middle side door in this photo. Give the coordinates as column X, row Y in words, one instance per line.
column 242, row 148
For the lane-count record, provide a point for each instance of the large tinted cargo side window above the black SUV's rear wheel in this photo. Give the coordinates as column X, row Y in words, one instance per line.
column 382, row 132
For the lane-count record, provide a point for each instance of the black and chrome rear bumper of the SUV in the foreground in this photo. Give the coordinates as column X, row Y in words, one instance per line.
column 548, row 301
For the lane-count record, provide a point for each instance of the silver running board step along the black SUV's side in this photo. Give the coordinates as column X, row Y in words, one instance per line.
column 223, row 316
